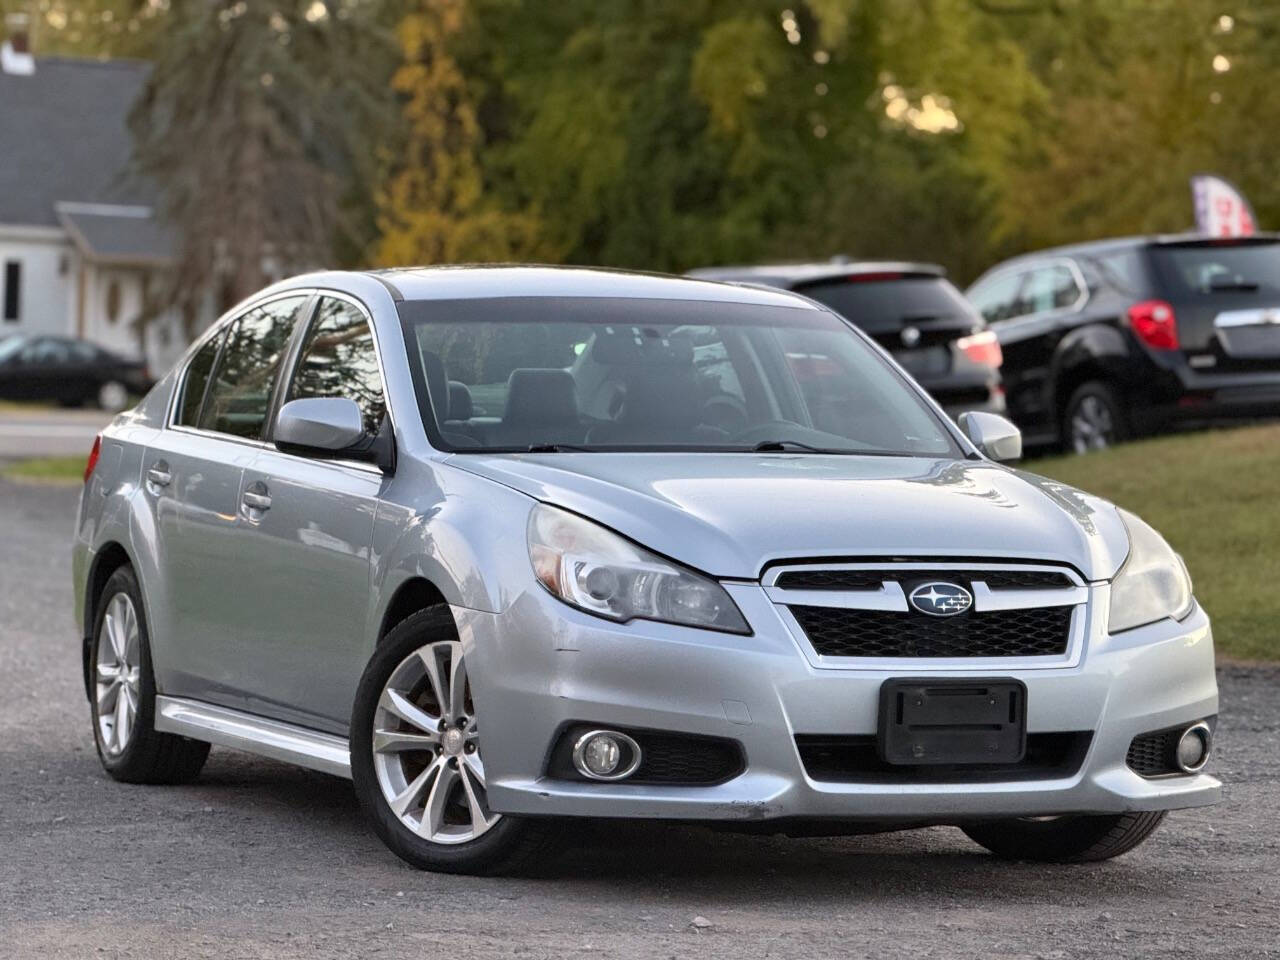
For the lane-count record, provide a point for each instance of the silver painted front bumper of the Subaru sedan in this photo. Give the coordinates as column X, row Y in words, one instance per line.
column 542, row 665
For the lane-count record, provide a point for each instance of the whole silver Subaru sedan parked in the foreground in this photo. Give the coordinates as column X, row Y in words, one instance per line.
column 514, row 546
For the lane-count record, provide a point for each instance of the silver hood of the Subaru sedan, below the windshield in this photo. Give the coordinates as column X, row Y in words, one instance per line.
column 732, row 515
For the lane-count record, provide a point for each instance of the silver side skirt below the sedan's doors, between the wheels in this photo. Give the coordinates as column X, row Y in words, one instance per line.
column 255, row 735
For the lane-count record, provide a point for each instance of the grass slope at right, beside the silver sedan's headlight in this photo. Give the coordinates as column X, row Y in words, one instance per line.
column 1214, row 497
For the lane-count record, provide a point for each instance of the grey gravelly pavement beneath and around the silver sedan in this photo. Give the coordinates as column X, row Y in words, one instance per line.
column 263, row 861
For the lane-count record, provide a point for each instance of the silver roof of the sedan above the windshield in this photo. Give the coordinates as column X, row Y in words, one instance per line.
column 532, row 281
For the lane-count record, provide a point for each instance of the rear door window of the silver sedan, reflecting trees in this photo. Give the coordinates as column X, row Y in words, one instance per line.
column 241, row 392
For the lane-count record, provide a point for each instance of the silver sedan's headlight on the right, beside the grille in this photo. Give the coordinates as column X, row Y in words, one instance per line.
column 1151, row 586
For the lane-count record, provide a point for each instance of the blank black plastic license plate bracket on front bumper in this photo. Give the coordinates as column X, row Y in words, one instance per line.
column 939, row 721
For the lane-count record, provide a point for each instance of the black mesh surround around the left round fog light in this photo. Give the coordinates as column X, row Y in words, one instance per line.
column 668, row 758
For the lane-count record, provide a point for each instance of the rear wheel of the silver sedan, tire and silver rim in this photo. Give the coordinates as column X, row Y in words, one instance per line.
column 124, row 694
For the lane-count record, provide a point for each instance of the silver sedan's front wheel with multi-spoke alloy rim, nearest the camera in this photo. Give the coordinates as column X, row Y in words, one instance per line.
column 415, row 757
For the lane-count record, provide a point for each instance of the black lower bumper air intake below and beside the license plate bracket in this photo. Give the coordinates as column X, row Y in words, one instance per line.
column 856, row 760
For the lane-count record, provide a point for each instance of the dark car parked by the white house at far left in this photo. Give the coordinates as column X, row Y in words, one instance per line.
column 68, row 372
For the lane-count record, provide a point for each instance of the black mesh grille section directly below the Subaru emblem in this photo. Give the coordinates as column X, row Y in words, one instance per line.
column 838, row 632
